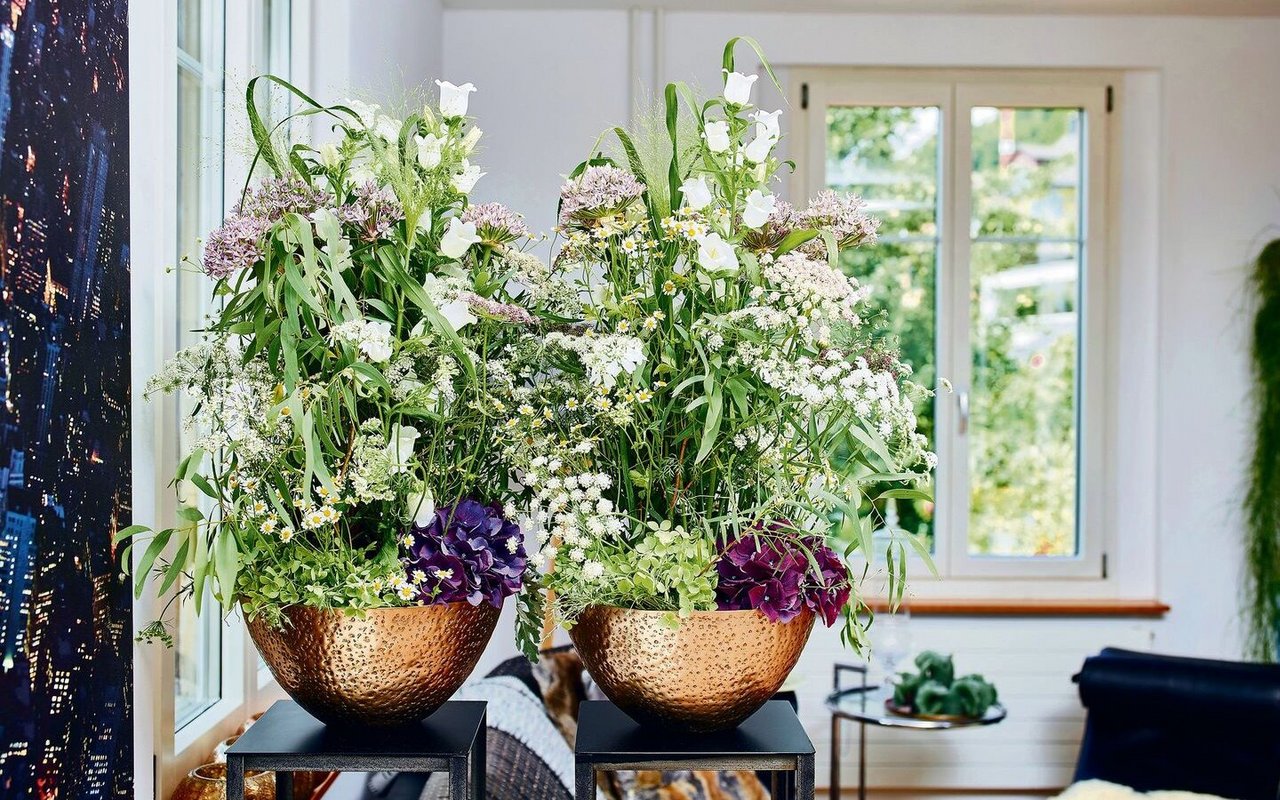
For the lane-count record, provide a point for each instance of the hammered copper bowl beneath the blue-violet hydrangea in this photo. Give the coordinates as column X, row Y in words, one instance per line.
column 388, row 668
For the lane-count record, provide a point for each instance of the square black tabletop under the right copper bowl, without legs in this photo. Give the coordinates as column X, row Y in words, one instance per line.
column 605, row 733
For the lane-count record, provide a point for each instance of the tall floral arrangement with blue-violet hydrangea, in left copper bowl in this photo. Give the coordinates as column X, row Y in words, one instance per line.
column 349, row 390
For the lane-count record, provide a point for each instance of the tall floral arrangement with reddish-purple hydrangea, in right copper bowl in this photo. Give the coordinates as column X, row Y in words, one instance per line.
column 714, row 397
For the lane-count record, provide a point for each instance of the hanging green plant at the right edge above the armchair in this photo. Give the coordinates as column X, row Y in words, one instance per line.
column 1263, row 502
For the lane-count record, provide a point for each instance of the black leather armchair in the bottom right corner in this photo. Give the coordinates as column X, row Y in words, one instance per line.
column 1163, row 723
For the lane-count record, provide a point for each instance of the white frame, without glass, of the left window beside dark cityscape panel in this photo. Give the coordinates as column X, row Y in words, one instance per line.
column 164, row 756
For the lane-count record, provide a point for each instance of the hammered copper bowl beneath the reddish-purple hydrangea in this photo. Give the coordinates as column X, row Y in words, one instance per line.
column 711, row 674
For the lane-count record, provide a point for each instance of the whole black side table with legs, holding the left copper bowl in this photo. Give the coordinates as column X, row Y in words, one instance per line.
column 289, row 739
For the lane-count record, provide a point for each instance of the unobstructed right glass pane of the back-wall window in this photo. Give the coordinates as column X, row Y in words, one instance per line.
column 1026, row 289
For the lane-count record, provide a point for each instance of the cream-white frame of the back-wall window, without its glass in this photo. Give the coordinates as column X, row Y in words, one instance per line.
column 954, row 93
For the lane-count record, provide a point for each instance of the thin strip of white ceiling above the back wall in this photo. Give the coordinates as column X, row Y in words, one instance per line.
column 1204, row 8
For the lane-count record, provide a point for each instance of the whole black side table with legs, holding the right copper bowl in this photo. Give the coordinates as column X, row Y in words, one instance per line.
column 770, row 740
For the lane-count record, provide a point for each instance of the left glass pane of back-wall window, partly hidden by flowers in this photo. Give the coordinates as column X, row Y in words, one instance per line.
column 889, row 156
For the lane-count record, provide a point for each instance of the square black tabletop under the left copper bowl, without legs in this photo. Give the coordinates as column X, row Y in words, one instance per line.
column 287, row 730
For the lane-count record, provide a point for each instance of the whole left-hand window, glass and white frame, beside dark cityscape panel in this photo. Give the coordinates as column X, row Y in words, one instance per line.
column 205, row 53
